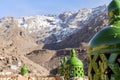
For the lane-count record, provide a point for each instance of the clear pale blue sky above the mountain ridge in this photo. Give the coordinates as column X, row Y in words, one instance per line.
column 17, row 8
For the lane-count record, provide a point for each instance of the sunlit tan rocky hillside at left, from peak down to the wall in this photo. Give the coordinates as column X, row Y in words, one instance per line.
column 14, row 44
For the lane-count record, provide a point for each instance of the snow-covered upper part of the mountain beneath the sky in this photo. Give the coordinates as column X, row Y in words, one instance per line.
column 51, row 28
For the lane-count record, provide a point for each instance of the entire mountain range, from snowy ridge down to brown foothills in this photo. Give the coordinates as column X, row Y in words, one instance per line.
column 56, row 35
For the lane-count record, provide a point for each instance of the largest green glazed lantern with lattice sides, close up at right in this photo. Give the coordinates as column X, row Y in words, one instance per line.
column 104, row 48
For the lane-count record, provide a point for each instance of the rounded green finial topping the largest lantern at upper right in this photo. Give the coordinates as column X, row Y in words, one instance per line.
column 114, row 10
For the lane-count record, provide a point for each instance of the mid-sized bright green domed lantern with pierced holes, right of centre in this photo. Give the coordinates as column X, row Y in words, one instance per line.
column 73, row 67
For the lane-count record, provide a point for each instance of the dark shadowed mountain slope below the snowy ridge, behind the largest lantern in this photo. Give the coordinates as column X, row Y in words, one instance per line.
column 82, row 35
